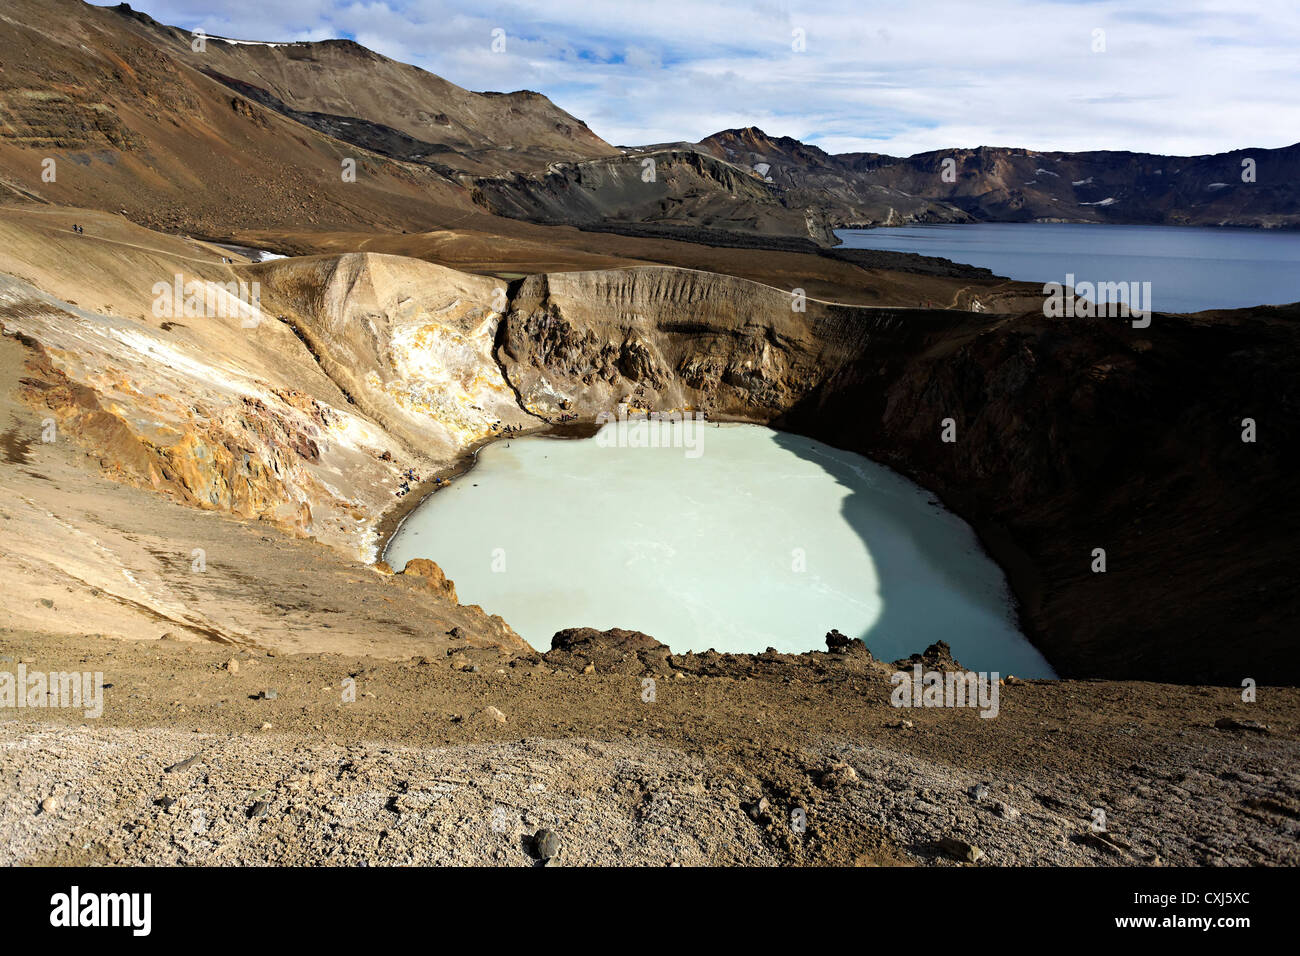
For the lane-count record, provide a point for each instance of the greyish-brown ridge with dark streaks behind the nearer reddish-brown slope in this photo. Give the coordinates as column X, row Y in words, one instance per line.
column 538, row 162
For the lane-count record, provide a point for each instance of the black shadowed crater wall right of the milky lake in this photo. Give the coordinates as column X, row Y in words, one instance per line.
column 1074, row 436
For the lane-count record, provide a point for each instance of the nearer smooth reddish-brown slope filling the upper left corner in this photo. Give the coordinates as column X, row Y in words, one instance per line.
column 129, row 128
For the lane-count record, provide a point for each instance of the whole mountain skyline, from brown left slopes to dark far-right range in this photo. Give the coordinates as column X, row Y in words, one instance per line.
column 255, row 133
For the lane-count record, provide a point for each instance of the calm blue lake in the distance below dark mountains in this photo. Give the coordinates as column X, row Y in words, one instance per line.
column 1190, row 269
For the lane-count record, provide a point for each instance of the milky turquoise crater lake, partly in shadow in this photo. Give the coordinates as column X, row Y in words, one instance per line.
column 752, row 539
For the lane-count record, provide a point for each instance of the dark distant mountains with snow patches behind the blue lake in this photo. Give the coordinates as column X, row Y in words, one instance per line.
column 1009, row 185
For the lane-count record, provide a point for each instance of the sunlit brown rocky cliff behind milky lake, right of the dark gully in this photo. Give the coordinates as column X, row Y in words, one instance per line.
column 662, row 339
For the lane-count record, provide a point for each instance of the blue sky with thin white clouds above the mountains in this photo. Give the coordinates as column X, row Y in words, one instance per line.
column 883, row 76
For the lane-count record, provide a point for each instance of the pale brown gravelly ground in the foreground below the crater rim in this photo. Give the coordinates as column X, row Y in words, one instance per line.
column 296, row 778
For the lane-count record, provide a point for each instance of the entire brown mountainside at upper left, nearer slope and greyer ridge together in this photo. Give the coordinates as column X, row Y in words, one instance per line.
column 245, row 136
